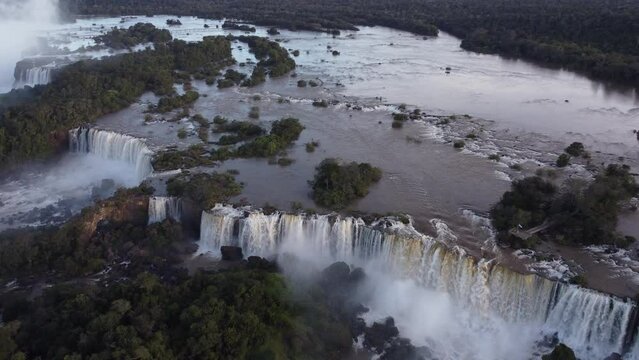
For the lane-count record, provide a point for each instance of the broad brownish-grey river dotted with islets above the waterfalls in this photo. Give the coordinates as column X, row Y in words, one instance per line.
column 524, row 112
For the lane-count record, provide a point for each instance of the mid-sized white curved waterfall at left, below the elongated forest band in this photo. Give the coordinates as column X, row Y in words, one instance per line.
column 113, row 146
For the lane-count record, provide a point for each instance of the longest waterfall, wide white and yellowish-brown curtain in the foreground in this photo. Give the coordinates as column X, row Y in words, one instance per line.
column 586, row 320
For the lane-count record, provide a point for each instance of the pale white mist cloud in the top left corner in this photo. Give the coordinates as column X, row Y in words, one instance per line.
column 21, row 22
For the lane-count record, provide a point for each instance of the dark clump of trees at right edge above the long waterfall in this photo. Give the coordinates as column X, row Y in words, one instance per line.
column 579, row 213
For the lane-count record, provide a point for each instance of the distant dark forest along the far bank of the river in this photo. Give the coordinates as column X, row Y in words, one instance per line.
column 596, row 37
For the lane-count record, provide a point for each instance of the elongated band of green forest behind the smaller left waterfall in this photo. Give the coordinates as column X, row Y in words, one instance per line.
column 34, row 122
